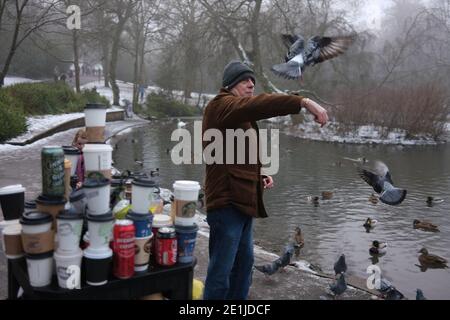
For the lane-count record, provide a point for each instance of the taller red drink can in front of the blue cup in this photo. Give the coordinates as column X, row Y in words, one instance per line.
column 123, row 247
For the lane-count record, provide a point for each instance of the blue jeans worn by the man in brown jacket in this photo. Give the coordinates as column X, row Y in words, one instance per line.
column 230, row 255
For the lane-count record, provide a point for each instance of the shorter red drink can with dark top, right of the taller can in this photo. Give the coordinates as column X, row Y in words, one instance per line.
column 166, row 247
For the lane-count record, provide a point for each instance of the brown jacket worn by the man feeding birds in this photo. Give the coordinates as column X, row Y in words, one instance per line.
column 240, row 184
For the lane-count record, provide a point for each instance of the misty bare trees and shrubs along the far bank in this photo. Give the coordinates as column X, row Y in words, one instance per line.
column 401, row 69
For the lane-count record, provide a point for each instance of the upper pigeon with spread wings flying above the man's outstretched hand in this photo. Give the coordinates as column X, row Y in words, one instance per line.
column 316, row 50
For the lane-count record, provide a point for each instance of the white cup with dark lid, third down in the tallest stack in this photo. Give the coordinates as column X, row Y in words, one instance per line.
column 97, row 195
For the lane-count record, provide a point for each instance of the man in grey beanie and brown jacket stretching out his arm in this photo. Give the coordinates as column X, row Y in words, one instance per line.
column 234, row 191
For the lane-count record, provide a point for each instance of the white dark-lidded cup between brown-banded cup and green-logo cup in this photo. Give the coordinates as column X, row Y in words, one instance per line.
column 69, row 226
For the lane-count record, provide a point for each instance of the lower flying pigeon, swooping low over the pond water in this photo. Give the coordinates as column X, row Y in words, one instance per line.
column 380, row 179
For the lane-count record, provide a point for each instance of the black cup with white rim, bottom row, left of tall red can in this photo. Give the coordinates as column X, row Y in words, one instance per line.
column 97, row 265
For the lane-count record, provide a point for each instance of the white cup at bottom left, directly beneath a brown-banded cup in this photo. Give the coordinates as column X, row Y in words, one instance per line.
column 40, row 268
